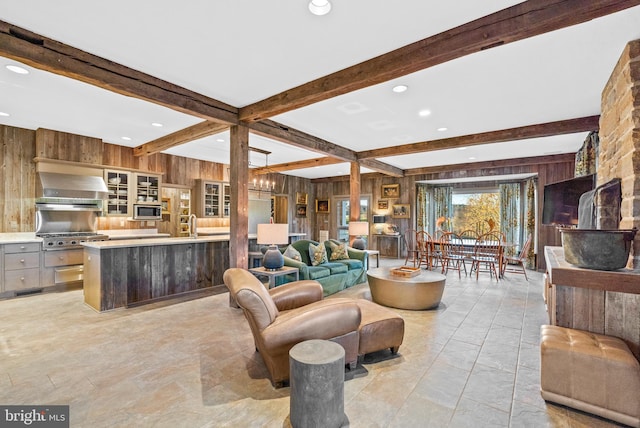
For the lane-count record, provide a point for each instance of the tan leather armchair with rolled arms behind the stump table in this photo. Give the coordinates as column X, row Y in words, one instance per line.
column 284, row 316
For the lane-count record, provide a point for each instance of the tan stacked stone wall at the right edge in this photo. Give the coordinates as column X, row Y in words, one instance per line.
column 620, row 139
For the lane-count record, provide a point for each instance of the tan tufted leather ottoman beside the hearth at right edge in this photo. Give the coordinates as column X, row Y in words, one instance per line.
column 590, row 372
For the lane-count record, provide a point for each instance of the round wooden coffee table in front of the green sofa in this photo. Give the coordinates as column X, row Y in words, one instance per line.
column 419, row 292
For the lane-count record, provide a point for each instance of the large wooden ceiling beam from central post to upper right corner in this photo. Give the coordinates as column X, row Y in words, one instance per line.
column 521, row 21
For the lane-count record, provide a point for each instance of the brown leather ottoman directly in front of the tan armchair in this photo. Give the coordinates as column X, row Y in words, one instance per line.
column 380, row 328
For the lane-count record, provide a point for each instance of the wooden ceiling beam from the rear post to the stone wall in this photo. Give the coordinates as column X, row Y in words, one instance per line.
column 570, row 126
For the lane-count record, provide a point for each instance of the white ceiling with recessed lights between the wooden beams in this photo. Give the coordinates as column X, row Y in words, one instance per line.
column 243, row 51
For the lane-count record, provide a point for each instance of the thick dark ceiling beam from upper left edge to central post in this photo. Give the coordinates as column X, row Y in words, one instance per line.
column 52, row 56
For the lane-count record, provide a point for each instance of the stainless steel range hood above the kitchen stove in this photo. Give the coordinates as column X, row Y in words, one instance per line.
column 70, row 186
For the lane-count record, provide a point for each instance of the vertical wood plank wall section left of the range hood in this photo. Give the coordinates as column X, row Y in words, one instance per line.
column 18, row 180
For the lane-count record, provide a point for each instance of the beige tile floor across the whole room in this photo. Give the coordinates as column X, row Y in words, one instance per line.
column 472, row 362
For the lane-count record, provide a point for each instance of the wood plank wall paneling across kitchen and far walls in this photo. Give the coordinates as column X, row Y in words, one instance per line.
column 20, row 146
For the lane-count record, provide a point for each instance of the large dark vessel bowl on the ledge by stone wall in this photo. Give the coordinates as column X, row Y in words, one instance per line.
column 600, row 249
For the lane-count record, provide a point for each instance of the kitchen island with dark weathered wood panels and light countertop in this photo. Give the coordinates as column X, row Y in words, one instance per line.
column 128, row 272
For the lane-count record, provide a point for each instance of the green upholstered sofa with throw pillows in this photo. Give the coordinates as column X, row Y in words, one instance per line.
column 334, row 276
